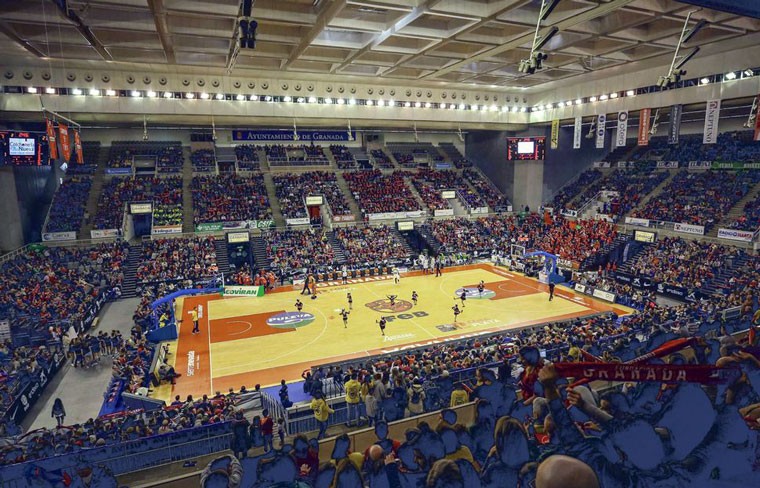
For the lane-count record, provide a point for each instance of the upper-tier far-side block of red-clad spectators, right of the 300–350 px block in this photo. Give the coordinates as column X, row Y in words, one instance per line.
column 376, row 192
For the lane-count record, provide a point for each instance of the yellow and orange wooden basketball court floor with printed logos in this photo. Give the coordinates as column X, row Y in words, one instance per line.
column 250, row 340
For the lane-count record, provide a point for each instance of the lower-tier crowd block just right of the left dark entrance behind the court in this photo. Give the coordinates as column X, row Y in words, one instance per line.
column 296, row 249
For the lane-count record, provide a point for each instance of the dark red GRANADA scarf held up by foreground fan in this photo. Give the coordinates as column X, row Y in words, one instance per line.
column 660, row 373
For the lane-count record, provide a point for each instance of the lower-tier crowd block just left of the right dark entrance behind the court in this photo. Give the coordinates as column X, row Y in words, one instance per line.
column 371, row 244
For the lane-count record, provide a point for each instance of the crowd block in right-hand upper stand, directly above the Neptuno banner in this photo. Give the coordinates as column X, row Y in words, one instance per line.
column 700, row 198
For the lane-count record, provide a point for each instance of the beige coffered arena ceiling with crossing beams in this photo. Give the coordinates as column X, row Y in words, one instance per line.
column 462, row 42
